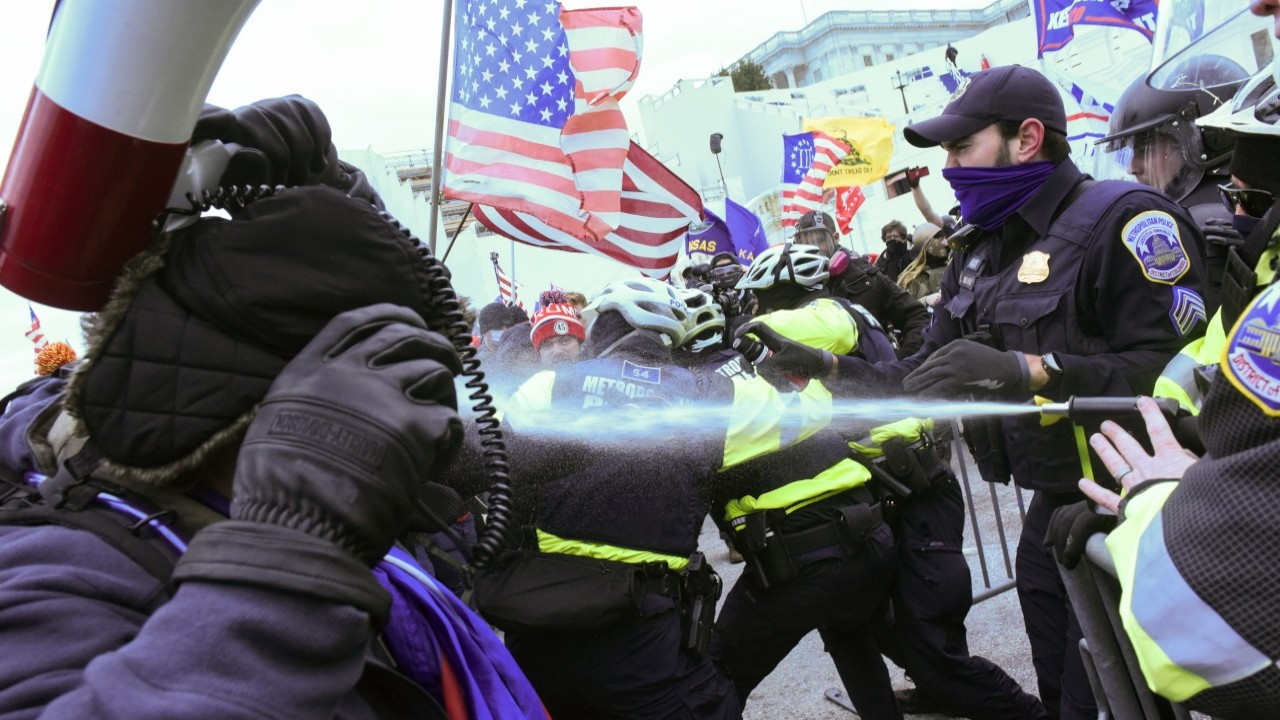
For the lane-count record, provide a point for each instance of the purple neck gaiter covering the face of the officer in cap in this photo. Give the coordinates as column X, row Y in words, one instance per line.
column 988, row 197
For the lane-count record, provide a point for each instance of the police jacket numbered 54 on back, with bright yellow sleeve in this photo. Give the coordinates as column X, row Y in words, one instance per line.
column 638, row 493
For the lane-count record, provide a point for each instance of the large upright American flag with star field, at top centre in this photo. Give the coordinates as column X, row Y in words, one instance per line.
column 534, row 125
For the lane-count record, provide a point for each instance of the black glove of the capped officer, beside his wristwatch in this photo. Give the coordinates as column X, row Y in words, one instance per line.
column 966, row 368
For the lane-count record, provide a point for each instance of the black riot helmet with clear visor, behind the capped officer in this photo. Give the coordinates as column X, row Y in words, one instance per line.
column 1154, row 133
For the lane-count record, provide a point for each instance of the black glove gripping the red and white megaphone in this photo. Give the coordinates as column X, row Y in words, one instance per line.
column 284, row 142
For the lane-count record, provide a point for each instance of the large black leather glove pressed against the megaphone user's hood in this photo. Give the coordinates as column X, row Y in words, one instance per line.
column 330, row 471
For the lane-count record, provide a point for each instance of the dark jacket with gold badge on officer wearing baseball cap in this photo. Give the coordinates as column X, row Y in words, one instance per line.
column 1103, row 280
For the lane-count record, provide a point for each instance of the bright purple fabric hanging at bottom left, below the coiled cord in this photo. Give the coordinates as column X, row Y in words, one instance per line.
column 431, row 626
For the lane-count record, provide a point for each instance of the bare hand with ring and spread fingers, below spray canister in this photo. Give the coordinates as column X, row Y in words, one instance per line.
column 1130, row 464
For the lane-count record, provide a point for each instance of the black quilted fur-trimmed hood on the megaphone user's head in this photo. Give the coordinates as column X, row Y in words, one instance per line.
column 200, row 326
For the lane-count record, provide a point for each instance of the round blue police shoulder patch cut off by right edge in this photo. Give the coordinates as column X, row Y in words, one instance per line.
column 1251, row 359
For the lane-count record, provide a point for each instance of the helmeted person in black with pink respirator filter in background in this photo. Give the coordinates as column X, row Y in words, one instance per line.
column 865, row 284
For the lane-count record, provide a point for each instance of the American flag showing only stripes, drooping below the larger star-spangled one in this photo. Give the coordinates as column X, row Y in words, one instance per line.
column 657, row 208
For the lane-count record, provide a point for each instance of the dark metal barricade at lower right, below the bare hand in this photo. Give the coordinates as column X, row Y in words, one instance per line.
column 1109, row 657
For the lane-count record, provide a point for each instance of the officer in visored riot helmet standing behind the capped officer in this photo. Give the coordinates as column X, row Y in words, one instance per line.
column 1167, row 149
